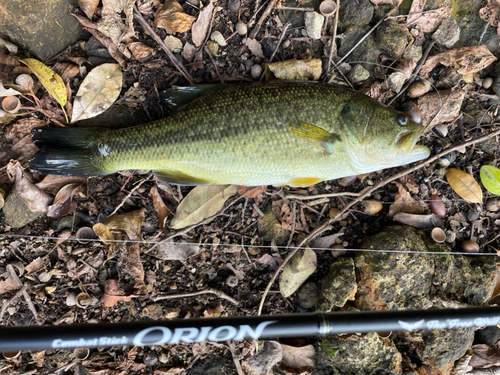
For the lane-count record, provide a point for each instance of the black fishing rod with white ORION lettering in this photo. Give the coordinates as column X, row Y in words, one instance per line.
column 144, row 333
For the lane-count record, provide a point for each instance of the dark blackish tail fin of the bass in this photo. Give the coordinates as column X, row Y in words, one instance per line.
column 67, row 151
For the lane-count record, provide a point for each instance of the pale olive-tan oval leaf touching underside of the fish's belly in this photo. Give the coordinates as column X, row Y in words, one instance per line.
column 201, row 203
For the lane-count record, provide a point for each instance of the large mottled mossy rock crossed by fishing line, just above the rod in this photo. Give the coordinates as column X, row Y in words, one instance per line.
column 410, row 275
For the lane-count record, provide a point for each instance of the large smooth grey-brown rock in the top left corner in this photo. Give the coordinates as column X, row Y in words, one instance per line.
column 44, row 27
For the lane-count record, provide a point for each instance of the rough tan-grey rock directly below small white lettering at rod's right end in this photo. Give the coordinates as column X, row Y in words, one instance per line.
column 438, row 348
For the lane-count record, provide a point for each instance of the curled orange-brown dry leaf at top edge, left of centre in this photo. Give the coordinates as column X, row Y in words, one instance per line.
column 171, row 17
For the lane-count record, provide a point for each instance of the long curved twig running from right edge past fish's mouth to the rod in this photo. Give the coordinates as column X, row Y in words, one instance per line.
column 326, row 225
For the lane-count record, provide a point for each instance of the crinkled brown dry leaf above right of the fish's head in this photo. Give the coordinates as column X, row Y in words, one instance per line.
column 465, row 60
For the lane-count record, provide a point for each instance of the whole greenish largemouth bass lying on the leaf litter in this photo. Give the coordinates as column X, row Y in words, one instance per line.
column 295, row 134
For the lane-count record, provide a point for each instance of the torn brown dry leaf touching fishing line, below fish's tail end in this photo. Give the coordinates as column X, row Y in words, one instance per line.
column 130, row 222
